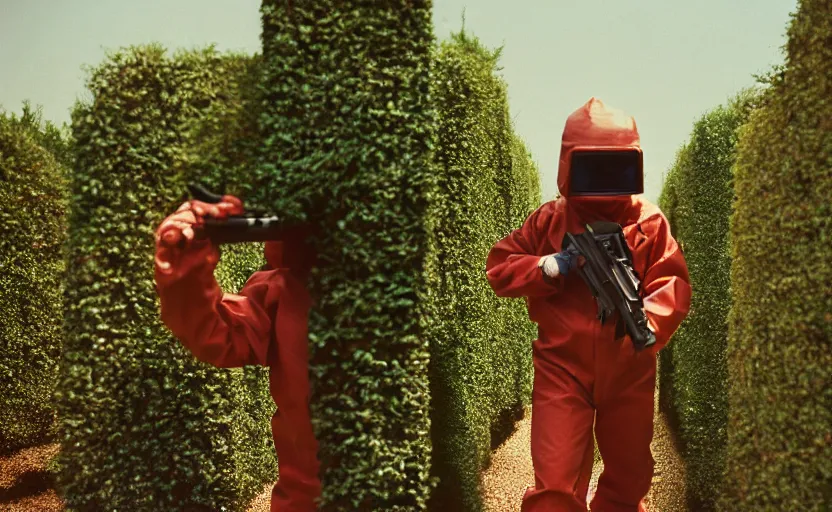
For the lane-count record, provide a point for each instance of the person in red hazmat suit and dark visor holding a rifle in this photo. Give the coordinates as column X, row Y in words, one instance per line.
column 582, row 374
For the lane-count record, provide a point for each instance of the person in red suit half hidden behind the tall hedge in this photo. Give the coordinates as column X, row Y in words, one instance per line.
column 265, row 324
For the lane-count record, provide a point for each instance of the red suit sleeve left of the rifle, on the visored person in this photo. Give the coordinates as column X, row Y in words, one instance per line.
column 512, row 264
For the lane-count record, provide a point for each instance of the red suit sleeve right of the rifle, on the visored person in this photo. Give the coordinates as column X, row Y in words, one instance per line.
column 667, row 290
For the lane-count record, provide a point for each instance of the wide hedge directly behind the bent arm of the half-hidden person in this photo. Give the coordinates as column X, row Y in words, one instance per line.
column 145, row 425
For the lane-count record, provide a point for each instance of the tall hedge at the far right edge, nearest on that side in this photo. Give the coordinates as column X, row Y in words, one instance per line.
column 779, row 360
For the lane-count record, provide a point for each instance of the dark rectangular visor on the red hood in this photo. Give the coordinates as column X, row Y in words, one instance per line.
column 606, row 173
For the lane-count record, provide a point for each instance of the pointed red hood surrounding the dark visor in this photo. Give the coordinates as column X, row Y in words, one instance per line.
column 596, row 126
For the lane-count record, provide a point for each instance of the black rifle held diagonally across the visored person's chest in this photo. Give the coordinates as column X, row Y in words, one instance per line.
column 610, row 276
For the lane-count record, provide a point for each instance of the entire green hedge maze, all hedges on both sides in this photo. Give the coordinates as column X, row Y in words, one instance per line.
column 400, row 151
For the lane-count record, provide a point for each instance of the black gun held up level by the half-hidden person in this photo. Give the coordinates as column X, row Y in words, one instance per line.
column 252, row 226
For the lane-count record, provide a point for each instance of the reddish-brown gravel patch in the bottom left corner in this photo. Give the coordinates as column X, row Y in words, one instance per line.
column 24, row 483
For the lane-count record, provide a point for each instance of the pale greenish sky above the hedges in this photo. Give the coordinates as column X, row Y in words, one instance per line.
column 666, row 62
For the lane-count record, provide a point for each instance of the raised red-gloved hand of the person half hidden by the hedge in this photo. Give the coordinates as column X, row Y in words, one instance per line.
column 176, row 250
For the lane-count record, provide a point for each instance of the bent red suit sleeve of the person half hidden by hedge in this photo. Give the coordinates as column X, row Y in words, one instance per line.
column 222, row 329
